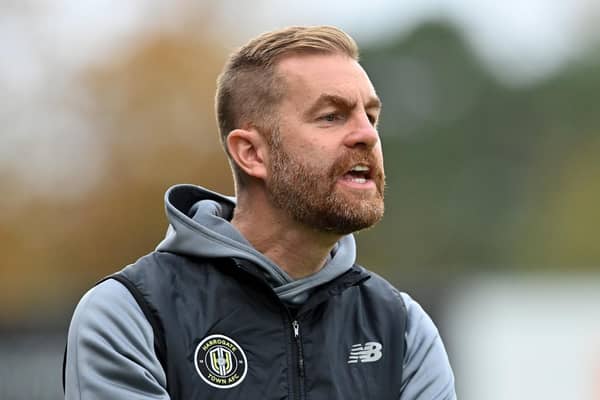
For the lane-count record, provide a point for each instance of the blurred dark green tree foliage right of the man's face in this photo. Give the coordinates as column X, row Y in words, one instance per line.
column 481, row 176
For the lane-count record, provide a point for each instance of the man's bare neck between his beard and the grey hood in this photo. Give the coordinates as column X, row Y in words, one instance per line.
column 296, row 248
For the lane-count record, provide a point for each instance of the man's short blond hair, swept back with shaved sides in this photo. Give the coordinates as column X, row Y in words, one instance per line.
column 248, row 89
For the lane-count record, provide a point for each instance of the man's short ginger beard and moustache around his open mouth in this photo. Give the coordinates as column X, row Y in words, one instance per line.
column 310, row 194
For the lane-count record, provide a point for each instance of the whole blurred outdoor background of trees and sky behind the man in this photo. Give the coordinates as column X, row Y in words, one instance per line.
column 491, row 135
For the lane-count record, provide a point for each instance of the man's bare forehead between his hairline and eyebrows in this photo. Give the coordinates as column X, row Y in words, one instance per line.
column 307, row 76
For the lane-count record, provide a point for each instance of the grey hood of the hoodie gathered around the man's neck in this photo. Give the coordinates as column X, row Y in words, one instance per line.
column 199, row 225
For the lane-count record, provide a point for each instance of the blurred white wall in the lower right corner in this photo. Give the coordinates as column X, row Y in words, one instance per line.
column 525, row 338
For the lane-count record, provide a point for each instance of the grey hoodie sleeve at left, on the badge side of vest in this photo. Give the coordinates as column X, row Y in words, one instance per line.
column 110, row 352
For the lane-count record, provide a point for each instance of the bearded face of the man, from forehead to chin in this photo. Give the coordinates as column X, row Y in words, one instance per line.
column 326, row 163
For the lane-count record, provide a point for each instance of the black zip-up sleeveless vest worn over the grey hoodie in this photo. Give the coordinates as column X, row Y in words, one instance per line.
column 189, row 299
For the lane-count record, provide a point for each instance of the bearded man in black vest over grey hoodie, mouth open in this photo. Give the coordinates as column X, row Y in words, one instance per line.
column 259, row 297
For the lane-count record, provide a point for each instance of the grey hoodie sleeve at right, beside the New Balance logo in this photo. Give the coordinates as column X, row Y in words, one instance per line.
column 427, row 374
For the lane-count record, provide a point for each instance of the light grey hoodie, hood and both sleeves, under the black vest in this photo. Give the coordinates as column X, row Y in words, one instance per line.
column 110, row 353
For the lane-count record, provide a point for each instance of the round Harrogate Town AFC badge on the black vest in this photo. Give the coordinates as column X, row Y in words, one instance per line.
column 220, row 361
